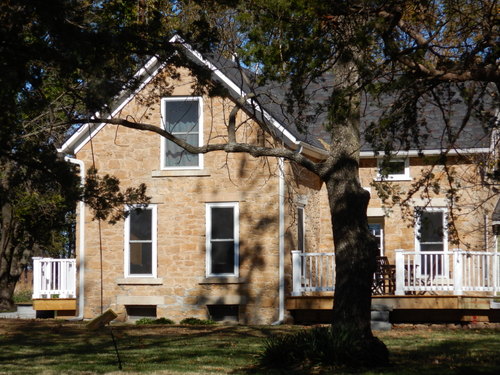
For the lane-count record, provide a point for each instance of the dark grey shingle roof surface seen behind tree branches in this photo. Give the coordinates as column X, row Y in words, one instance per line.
column 434, row 135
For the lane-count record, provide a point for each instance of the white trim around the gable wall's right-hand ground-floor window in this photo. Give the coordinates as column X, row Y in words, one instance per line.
column 236, row 223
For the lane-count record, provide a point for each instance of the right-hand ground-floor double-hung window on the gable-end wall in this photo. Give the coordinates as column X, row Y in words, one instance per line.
column 222, row 239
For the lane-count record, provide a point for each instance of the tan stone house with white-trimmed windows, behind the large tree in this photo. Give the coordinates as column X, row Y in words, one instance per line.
column 224, row 232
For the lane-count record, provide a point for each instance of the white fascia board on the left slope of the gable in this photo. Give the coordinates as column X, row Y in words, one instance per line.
column 89, row 130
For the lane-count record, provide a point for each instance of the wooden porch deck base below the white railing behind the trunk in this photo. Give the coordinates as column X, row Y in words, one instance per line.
column 408, row 308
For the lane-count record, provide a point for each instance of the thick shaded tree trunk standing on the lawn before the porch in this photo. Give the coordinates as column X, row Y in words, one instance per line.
column 355, row 247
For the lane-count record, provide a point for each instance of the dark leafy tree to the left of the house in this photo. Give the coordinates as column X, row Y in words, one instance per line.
column 59, row 59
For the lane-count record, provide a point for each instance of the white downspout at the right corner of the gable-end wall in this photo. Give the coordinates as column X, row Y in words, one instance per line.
column 281, row 244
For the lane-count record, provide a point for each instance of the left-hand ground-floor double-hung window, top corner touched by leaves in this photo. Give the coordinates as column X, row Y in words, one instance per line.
column 140, row 243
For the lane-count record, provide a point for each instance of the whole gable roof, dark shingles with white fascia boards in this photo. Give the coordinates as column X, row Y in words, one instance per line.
column 268, row 109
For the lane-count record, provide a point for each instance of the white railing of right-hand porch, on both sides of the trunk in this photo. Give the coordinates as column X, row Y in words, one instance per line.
column 454, row 272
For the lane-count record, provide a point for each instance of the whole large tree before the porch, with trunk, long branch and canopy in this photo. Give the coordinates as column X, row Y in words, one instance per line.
column 402, row 55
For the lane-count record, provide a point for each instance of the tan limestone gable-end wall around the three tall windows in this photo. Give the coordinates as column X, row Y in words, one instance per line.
column 181, row 288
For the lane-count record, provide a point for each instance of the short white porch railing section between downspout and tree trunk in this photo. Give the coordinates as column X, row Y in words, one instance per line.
column 312, row 272
